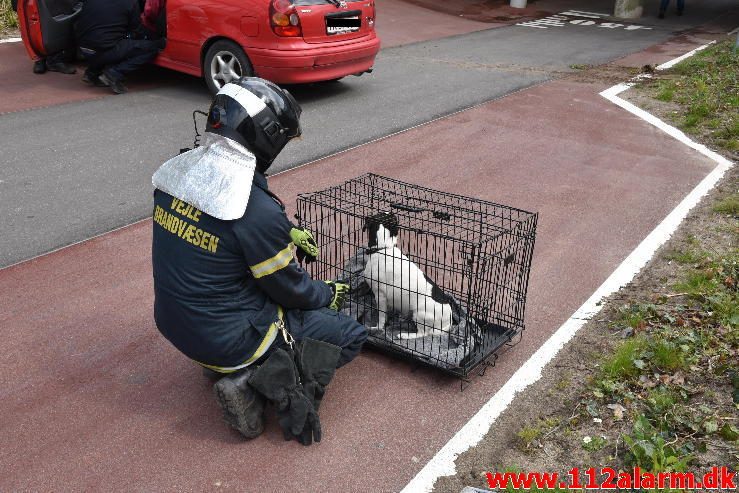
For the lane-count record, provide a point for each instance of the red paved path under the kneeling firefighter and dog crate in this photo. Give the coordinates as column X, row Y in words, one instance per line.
column 93, row 398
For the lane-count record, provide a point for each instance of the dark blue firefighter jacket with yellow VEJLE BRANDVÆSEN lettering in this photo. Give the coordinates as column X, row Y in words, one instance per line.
column 217, row 283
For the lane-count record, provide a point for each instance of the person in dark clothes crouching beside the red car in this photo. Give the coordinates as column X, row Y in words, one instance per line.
column 106, row 32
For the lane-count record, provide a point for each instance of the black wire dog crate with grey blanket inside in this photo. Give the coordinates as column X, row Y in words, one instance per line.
column 477, row 252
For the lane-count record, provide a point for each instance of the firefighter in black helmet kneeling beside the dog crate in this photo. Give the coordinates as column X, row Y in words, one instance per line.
column 228, row 291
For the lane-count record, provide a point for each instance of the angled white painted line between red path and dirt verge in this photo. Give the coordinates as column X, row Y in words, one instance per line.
column 442, row 464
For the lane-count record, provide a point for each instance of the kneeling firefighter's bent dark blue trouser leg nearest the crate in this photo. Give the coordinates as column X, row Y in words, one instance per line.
column 328, row 326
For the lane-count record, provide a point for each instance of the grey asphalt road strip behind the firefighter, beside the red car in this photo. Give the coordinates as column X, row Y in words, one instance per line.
column 73, row 171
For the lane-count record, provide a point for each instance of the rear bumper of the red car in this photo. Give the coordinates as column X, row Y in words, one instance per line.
column 317, row 64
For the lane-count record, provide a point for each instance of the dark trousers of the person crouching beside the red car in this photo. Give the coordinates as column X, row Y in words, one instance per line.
column 125, row 57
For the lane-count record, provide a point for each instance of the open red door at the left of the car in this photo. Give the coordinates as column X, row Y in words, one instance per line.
column 43, row 28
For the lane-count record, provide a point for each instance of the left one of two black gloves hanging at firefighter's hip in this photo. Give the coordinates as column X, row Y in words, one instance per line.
column 277, row 380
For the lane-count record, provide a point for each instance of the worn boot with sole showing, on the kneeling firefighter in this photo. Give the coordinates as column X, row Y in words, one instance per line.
column 243, row 407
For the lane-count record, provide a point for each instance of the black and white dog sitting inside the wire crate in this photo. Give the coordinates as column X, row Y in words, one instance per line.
column 398, row 284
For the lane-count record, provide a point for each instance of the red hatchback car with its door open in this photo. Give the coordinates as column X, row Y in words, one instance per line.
column 286, row 41
